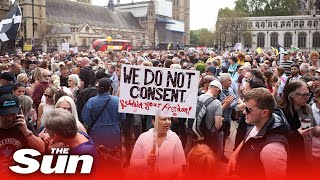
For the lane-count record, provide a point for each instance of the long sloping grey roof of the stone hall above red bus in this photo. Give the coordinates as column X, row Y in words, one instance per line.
column 65, row 11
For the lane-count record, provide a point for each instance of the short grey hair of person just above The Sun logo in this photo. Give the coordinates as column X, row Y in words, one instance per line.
column 61, row 122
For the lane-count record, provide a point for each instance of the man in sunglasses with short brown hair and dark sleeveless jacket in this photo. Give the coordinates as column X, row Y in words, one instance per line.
column 264, row 150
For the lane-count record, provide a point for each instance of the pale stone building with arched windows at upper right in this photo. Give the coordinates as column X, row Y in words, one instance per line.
column 299, row 31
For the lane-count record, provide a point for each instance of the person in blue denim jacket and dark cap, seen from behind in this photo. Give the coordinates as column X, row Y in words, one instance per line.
column 101, row 115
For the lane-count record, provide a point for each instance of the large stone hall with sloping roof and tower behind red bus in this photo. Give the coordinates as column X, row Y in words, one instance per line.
column 48, row 23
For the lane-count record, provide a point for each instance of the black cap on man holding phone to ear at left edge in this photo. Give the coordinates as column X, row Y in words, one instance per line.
column 9, row 104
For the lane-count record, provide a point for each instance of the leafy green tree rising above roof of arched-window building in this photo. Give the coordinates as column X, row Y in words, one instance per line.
column 267, row 7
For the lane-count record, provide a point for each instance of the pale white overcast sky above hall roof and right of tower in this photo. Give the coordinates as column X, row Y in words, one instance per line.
column 203, row 13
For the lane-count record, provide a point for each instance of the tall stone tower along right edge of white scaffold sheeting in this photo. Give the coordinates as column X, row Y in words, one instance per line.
column 181, row 12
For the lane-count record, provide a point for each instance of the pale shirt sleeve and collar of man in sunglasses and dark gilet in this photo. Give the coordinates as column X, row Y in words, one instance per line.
column 273, row 157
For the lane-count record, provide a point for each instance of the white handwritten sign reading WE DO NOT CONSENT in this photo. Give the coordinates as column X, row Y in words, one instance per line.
column 143, row 90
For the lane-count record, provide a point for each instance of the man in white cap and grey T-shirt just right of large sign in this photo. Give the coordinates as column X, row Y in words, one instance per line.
column 213, row 119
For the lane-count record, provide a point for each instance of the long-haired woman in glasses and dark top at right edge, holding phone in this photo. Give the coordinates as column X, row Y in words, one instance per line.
column 294, row 106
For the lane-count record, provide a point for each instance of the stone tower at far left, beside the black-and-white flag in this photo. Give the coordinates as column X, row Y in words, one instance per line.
column 33, row 25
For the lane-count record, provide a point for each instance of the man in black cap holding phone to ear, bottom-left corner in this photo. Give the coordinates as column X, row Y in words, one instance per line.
column 14, row 134
